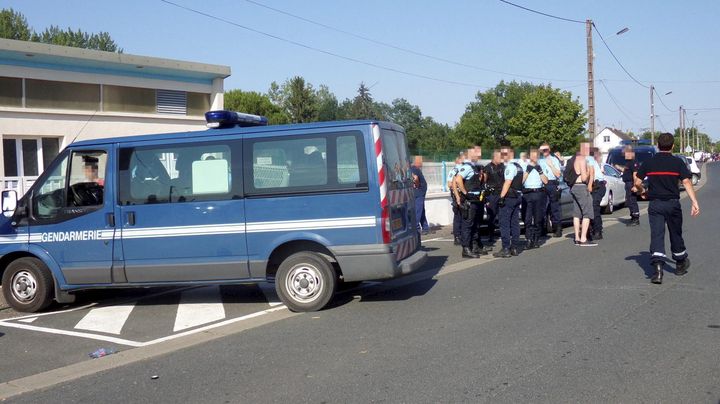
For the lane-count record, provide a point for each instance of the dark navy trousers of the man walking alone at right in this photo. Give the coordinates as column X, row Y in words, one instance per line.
column 662, row 214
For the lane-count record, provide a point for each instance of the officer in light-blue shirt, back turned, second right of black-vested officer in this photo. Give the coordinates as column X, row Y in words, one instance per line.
column 534, row 181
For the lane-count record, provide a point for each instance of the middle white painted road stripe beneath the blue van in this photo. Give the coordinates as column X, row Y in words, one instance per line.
column 199, row 306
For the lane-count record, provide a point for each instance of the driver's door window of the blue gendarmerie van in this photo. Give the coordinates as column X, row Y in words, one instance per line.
column 62, row 192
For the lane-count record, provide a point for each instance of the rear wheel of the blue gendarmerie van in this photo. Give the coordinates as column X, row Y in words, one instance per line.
column 305, row 281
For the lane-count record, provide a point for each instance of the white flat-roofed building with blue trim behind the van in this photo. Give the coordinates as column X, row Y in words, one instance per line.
column 51, row 95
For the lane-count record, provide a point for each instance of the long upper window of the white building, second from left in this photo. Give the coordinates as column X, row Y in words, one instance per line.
column 61, row 95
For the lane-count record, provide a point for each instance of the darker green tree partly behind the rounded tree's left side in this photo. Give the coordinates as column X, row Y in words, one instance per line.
column 486, row 120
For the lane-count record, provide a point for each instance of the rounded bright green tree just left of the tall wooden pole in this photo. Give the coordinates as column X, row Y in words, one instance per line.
column 547, row 115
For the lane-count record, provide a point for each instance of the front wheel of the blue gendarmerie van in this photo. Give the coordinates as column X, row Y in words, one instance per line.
column 28, row 285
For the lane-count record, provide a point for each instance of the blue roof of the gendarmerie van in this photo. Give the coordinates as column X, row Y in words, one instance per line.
column 239, row 130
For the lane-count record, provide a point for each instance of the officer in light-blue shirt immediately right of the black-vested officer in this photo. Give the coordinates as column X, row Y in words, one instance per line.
column 509, row 203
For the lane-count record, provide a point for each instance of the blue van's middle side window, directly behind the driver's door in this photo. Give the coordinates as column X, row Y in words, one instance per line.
column 176, row 173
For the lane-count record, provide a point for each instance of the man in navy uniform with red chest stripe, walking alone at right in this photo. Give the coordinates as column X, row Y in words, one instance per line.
column 663, row 172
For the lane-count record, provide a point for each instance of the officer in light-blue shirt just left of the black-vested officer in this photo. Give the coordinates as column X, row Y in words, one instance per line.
column 469, row 196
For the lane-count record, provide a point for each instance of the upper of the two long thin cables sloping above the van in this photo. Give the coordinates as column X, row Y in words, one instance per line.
column 400, row 48
